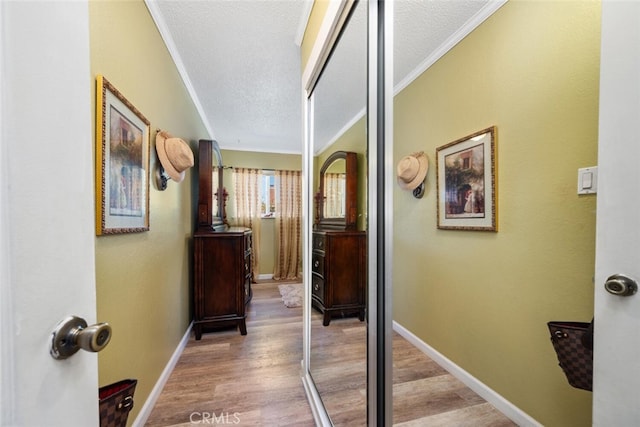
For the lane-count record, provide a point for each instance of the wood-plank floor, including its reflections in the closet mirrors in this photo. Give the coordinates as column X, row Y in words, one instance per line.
column 254, row 380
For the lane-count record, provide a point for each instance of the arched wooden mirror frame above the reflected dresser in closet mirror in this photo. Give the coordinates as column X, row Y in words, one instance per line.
column 349, row 221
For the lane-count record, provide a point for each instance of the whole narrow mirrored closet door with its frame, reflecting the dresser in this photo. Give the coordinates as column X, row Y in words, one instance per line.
column 339, row 283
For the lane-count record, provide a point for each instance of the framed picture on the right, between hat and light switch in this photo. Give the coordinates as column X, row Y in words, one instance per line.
column 466, row 182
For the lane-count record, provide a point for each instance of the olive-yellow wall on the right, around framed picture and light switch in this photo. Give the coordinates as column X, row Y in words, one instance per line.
column 483, row 298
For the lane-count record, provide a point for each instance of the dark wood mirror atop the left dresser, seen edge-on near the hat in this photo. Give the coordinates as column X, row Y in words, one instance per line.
column 208, row 150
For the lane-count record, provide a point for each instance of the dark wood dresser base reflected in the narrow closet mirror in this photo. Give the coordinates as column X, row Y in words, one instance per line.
column 339, row 268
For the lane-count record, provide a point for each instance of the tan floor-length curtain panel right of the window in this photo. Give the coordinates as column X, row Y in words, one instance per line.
column 288, row 225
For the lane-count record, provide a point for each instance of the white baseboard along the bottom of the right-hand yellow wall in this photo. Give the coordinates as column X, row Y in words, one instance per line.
column 500, row 403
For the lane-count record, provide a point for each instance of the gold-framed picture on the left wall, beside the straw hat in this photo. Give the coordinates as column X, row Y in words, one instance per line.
column 122, row 163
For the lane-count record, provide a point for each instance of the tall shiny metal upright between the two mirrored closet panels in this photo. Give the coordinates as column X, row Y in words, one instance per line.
column 381, row 180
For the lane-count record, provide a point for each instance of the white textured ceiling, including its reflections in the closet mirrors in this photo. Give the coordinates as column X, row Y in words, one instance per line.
column 241, row 61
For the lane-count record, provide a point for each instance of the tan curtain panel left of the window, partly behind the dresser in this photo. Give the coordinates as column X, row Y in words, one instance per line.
column 247, row 204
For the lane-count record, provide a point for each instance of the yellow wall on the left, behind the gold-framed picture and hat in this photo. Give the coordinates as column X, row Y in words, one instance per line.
column 142, row 279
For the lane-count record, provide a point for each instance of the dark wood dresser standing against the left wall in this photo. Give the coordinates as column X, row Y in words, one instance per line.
column 222, row 278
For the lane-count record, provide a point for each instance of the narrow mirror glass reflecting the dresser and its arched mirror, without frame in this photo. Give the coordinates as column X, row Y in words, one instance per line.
column 338, row 358
